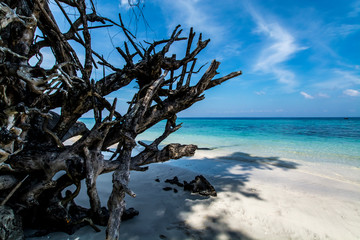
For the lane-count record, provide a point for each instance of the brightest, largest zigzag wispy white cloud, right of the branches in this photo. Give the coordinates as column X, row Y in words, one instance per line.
column 280, row 46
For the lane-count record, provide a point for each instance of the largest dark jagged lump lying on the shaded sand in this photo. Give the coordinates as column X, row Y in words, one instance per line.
column 200, row 185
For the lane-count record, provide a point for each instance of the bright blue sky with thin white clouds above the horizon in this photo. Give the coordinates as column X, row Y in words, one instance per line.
column 299, row 58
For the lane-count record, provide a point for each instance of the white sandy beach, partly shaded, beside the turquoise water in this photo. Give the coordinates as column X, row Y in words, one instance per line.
column 258, row 198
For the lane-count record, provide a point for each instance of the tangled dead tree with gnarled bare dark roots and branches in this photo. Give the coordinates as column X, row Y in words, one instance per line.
column 32, row 134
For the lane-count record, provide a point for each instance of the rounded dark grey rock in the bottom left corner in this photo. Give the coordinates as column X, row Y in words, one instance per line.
column 10, row 225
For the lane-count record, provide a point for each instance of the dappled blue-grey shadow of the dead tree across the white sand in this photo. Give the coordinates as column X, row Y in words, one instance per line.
column 182, row 215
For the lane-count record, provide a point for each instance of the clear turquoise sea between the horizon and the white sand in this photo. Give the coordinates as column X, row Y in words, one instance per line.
column 330, row 140
